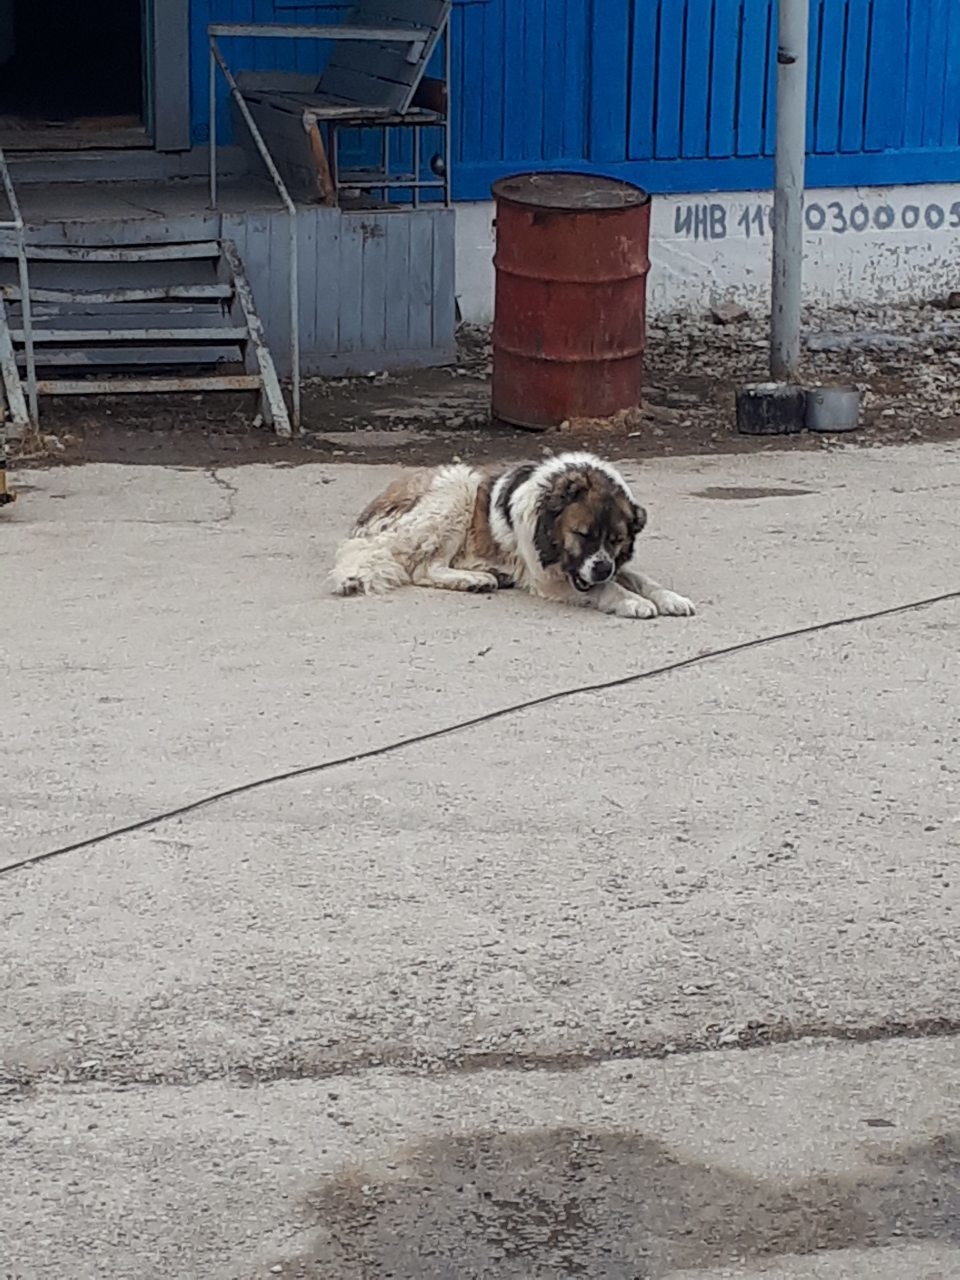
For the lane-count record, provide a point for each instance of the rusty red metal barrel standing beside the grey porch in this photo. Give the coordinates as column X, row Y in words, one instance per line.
column 570, row 318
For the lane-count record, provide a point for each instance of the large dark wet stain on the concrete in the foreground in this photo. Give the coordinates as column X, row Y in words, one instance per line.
column 554, row 1204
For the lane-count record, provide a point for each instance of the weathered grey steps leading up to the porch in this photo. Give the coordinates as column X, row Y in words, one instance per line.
column 117, row 319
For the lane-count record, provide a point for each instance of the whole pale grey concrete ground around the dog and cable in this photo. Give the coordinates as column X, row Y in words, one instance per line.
column 653, row 984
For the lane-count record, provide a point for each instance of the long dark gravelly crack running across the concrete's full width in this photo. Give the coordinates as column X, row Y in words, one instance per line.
column 301, row 1068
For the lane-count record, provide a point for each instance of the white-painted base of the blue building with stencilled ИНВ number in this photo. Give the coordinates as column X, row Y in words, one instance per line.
column 863, row 245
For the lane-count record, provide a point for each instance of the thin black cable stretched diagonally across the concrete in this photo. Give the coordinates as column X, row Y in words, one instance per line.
column 486, row 719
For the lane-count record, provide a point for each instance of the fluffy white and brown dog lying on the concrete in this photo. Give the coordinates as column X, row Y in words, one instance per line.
column 563, row 529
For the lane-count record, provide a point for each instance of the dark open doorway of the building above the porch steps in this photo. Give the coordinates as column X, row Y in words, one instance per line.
column 72, row 76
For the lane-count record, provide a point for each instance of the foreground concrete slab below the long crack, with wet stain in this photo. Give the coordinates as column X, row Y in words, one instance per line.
column 817, row 1163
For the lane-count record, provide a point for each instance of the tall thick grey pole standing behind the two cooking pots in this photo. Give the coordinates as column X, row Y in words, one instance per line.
column 789, row 195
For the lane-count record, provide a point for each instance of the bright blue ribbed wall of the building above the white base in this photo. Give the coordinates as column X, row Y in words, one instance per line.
column 676, row 95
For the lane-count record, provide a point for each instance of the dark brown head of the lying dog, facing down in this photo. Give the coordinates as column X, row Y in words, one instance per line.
column 587, row 524
